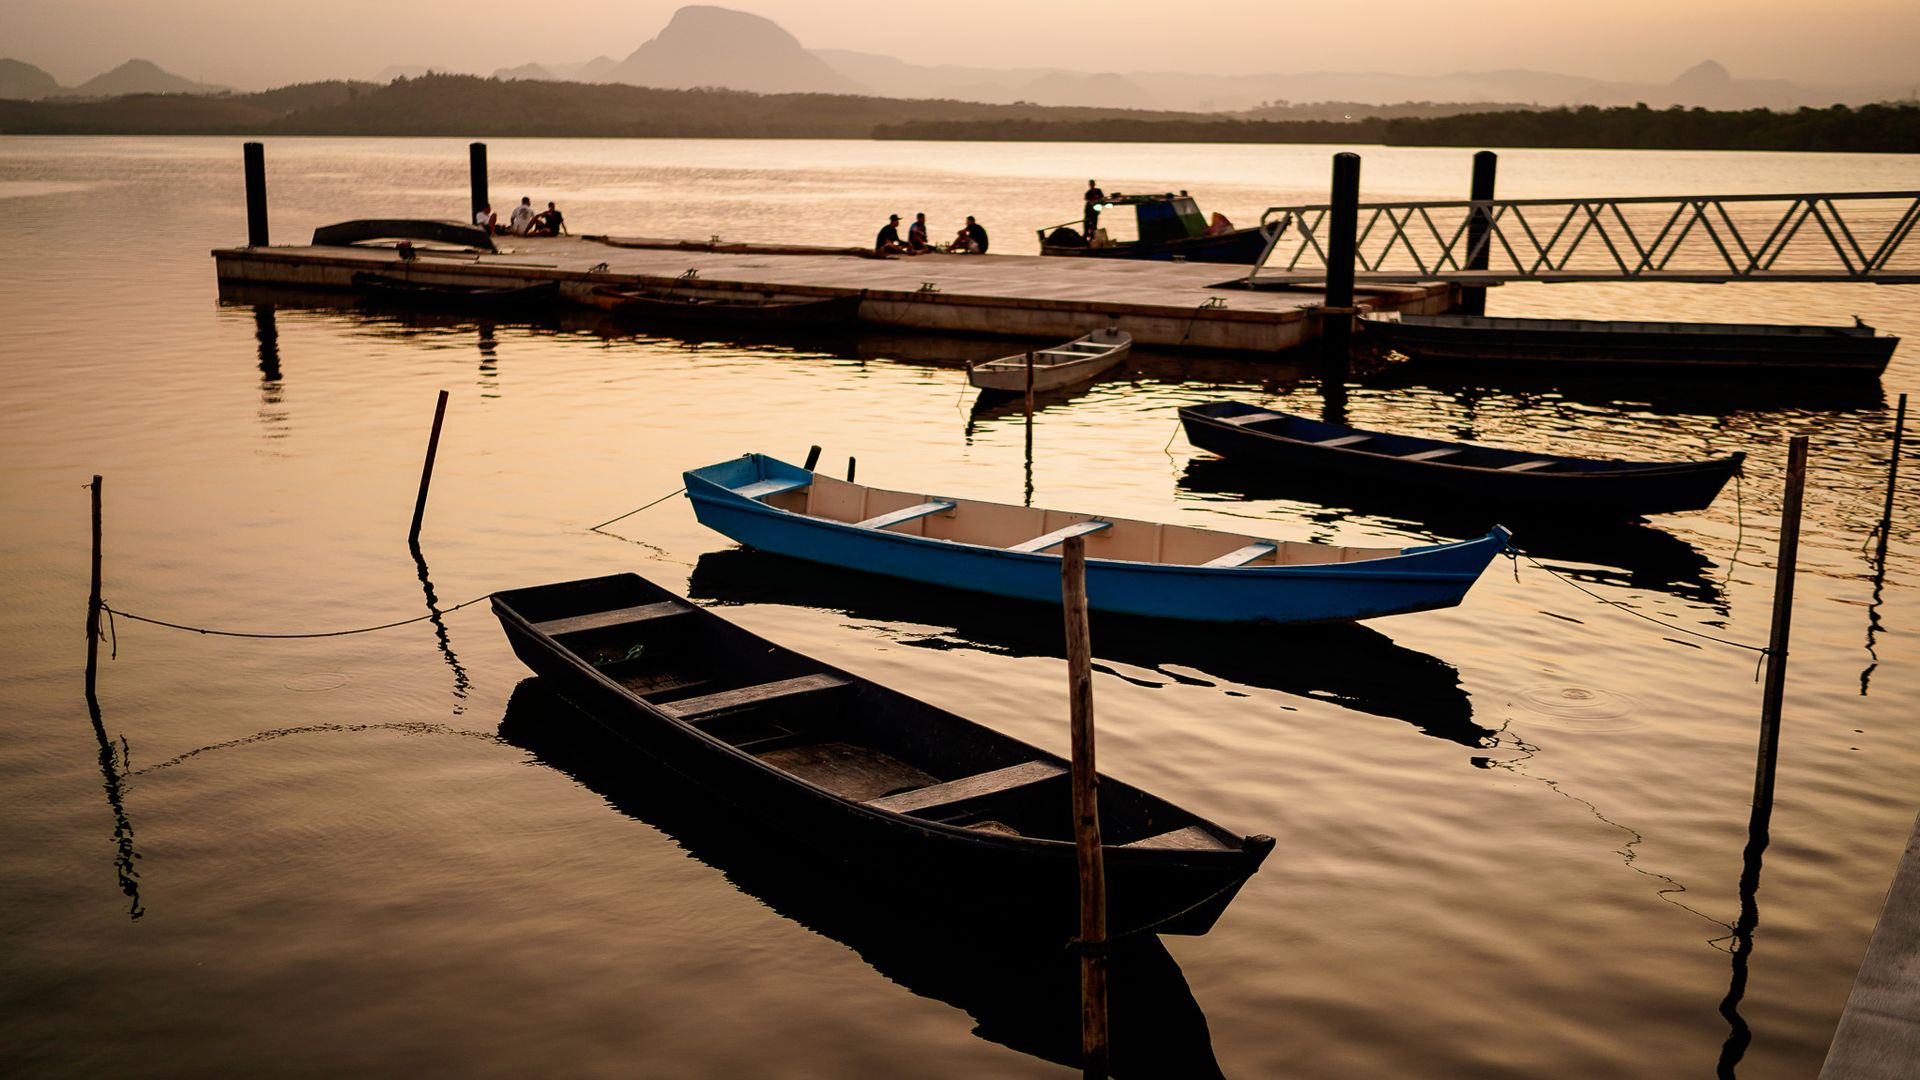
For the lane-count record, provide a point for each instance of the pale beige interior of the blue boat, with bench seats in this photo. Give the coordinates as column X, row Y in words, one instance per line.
column 1001, row 526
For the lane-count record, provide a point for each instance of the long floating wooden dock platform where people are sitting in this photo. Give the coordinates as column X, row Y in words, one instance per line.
column 1026, row 297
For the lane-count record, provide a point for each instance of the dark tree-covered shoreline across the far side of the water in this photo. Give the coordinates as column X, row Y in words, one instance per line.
column 471, row 107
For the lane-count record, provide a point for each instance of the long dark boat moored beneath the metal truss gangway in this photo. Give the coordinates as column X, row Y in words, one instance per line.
column 1681, row 349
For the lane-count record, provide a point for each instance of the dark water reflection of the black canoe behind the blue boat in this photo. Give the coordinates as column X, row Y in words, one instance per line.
column 1639, row 554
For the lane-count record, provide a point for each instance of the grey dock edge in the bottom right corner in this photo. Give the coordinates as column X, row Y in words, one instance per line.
column 1879, row 1035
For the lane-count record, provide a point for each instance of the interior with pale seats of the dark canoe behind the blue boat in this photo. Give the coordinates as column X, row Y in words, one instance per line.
column 1431, row 451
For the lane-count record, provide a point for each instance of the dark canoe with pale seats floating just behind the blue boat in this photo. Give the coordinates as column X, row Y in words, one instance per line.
column 1433, row 470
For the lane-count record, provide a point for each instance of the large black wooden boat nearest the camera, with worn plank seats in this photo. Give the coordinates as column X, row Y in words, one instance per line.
column 944, row 810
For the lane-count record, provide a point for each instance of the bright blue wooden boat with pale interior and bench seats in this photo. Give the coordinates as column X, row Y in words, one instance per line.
column 1134, row 568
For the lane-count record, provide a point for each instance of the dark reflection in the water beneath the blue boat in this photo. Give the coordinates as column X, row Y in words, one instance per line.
column 1343, row 664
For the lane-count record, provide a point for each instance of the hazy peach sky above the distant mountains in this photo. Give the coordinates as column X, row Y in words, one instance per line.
column 268, row 43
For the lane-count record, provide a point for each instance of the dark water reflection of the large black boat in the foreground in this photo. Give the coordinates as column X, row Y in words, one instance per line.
column 1022, row 993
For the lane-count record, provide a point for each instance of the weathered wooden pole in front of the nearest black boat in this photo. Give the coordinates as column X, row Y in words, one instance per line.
column 1086, row 812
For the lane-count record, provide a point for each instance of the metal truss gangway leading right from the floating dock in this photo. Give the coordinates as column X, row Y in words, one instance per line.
column 1675, row 239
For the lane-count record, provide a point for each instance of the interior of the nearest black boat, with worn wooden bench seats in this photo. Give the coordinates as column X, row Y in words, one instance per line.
column 828, row 729
